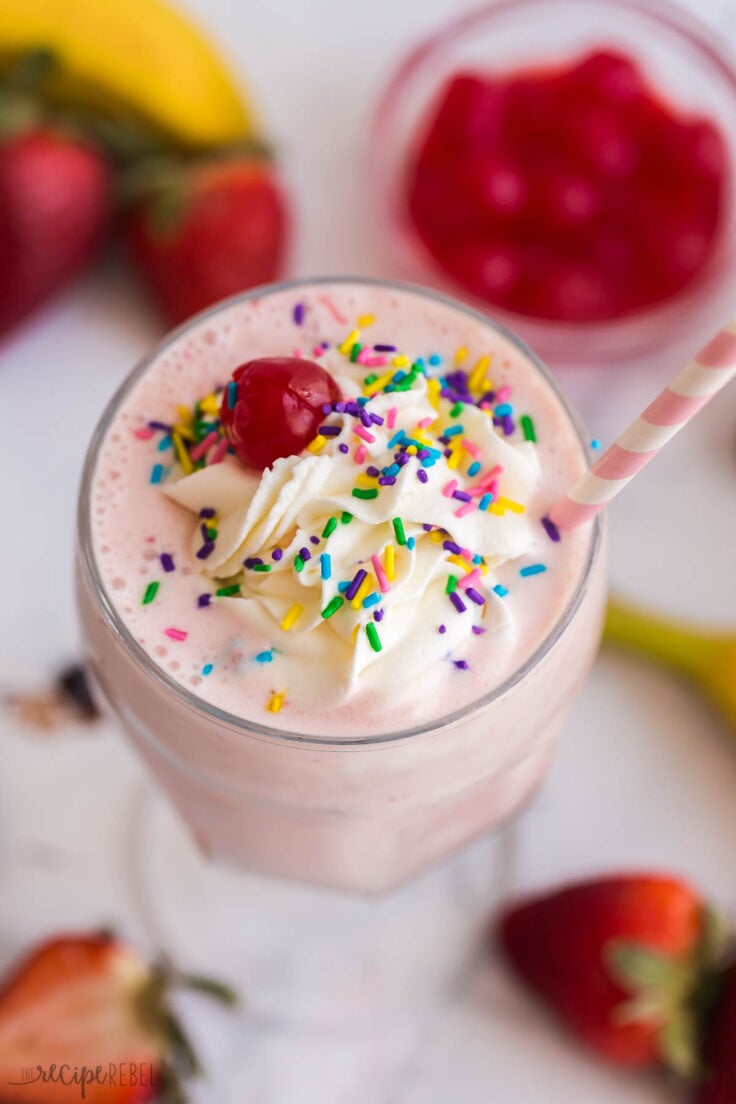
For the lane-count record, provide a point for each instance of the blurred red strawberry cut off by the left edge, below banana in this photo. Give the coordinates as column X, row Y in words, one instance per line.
column 55, row 208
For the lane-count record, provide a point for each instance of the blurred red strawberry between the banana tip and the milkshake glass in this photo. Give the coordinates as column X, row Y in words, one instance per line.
column 220, row 229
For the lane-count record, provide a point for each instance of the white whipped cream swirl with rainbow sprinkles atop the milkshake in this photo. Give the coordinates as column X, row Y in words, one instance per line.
column 272, row 518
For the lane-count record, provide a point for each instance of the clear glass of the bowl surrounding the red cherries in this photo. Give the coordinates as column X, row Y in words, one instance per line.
column 684, row 60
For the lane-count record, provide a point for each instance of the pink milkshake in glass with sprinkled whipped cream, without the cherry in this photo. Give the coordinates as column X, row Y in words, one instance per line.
column 346, row 666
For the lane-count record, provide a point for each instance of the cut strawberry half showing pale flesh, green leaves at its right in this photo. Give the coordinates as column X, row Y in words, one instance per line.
column 82, row 1004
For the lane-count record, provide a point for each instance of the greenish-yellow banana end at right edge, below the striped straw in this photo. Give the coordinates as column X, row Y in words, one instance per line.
column 708, row 661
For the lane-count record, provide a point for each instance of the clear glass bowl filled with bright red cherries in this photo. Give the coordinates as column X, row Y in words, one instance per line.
column 568, row 166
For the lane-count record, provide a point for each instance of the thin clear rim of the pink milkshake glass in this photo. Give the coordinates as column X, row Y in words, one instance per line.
column 148, row 666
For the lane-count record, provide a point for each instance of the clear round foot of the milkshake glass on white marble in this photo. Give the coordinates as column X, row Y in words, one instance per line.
column 312, row 959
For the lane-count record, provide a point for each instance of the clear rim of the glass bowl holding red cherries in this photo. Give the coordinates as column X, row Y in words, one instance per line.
column 635, row 335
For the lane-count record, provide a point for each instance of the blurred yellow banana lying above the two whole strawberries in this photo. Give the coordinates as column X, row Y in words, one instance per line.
column 140, row 57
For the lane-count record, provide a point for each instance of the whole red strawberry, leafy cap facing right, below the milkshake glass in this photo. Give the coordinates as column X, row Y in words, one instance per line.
column 620, row 960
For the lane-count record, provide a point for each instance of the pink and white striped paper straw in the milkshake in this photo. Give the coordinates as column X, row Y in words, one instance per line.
column 690, row 391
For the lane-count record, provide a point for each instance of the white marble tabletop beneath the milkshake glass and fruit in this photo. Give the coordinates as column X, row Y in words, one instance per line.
column 645, row 777
